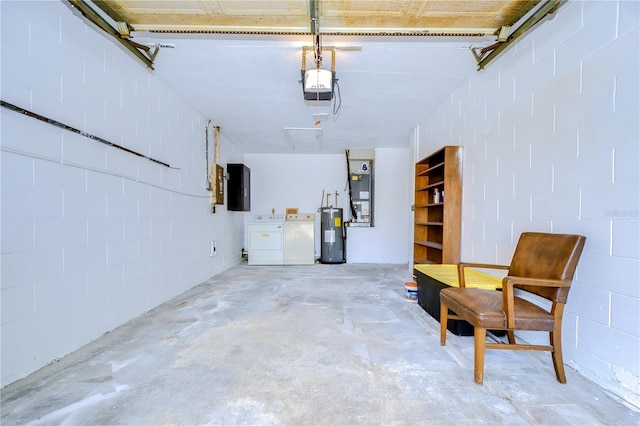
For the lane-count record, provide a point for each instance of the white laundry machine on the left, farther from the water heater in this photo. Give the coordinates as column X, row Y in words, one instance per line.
column 266, row 240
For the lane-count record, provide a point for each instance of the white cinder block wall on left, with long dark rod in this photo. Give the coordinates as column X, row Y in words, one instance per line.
column 93, row 236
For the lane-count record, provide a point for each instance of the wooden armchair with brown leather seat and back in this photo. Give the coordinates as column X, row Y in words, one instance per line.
column 543, row 264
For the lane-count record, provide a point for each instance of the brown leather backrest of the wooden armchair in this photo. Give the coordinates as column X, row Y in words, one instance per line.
column 547, row 256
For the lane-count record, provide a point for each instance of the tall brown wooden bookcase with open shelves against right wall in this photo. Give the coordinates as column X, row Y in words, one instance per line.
column 437, row 222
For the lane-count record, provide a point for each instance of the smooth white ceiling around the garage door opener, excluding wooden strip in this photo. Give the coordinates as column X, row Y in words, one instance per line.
column 250, row 86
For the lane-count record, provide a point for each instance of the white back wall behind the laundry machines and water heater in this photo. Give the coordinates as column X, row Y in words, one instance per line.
column 299, row 180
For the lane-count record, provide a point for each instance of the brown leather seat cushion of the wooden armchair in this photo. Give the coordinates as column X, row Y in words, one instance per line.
column 484, row 308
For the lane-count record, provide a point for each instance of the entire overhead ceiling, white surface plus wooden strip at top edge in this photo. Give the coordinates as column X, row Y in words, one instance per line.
column 239, row 62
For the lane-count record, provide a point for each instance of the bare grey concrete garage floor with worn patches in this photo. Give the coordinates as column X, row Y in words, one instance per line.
column 322, row 344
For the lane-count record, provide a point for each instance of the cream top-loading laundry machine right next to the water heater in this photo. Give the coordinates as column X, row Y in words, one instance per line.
column 299, row 239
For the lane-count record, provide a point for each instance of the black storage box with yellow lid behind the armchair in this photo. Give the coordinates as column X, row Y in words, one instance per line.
column 432, row 278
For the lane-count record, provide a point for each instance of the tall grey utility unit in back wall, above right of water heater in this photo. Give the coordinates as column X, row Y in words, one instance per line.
column 361, row 187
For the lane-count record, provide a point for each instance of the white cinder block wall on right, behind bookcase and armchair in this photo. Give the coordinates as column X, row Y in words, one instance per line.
column 550, row 132
